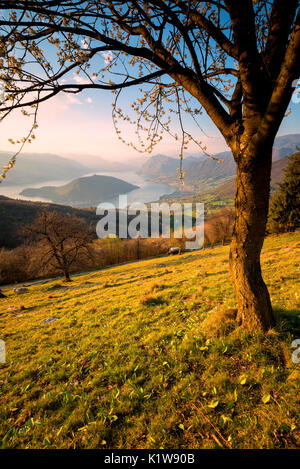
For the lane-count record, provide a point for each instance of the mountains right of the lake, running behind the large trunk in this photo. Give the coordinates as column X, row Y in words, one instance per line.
column 203, row 174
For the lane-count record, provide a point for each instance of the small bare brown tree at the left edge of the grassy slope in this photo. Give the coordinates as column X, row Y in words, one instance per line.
column 65, row 239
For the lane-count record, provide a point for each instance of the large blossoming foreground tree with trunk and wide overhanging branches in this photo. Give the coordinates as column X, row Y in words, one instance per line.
column 237, row 60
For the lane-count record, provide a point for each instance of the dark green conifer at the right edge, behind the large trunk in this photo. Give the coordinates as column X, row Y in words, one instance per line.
column 285, row 205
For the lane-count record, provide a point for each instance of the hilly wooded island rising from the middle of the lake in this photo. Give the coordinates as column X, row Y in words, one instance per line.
column 83, row 192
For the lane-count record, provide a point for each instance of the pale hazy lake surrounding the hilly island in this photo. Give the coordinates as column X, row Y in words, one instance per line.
column 147, row 192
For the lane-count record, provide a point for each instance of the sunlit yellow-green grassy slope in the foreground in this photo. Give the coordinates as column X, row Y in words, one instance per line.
column 144, row 356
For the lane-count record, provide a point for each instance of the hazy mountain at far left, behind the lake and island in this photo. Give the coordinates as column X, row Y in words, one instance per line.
column 31, row 168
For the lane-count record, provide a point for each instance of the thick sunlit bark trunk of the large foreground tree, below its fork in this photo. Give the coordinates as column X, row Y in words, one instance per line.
column 251, row 210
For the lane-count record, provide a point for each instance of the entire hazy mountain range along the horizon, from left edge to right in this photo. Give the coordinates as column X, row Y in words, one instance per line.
column 202, row 173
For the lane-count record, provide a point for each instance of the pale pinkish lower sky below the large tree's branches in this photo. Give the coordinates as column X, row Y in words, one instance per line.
column 78, row 125
